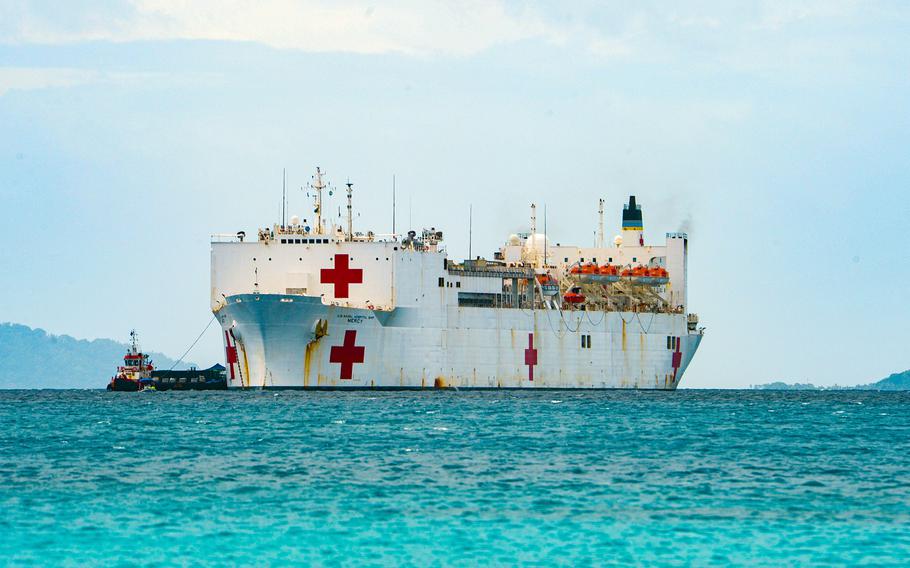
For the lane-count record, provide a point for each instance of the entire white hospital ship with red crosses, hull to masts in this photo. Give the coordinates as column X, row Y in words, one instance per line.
column 310, row 304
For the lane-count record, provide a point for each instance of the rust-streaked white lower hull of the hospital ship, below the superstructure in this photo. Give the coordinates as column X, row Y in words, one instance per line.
column 279, row 343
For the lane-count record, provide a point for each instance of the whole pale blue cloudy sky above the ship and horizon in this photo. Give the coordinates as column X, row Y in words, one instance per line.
column 777, row 133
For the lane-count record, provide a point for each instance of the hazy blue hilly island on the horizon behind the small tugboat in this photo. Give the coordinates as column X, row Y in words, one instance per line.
column 32, row 358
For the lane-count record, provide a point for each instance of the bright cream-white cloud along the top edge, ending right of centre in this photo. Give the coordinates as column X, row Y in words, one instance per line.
column 405, row 26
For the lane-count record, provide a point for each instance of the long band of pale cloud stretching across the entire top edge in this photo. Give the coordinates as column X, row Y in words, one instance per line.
column 763, row 35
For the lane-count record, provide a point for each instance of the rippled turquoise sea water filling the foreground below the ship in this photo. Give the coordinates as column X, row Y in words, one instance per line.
column 354, row 478
